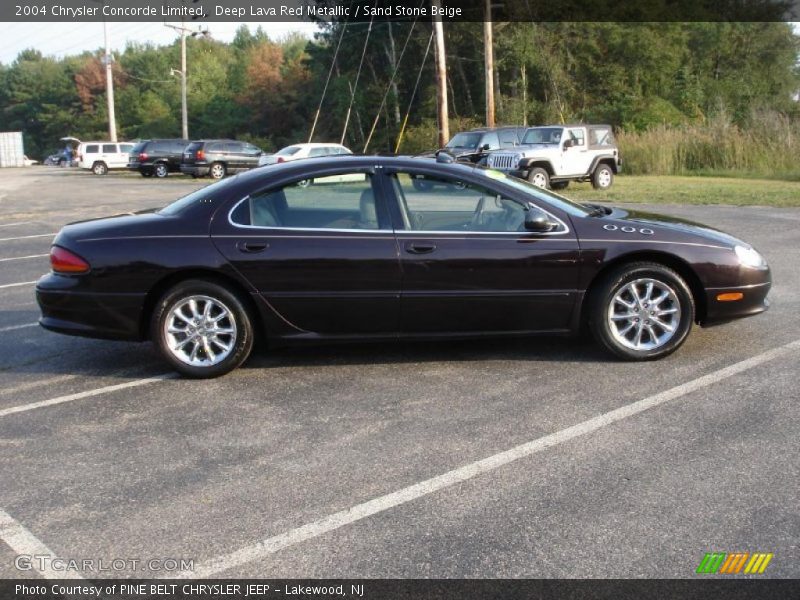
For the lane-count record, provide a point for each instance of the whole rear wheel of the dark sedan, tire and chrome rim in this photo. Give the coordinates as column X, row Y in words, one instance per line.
column 202, row 329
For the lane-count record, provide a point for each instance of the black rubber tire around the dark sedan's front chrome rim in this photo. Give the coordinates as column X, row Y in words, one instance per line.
column 600, row 306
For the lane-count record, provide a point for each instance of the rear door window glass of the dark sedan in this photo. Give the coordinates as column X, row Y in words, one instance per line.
column 342, row 201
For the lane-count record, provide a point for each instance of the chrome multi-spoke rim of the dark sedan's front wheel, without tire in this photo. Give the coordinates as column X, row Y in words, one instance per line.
column 644, row 314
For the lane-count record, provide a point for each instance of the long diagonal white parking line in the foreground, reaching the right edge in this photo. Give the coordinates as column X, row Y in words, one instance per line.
column 266, row 547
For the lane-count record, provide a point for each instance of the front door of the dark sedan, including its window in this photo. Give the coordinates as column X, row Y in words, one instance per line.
column 469, row 265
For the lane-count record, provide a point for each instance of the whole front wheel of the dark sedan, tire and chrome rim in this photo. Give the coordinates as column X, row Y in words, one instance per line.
column 641, row 311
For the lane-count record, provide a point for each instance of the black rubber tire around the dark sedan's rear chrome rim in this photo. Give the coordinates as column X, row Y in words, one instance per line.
column 239, row 321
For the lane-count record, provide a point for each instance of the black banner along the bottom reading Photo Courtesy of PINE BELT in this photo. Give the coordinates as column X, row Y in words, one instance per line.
column 373, row 589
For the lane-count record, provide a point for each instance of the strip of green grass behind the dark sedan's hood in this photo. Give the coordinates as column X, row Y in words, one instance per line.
column 652, row 189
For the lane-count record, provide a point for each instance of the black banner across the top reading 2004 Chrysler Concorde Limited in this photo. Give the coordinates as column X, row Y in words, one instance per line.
column 398, row 10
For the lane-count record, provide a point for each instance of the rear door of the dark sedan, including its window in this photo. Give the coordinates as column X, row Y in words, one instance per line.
column 322, row 254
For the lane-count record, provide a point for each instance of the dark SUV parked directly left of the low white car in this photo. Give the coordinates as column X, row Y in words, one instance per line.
column 218, row 158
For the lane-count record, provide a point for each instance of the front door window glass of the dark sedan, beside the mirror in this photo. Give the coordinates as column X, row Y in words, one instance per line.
column 441, row 204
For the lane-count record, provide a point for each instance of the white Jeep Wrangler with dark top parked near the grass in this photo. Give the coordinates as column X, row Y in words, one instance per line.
column 552, row 156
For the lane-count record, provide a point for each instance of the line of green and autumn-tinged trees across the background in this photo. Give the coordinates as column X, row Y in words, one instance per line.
column 636, row 76
